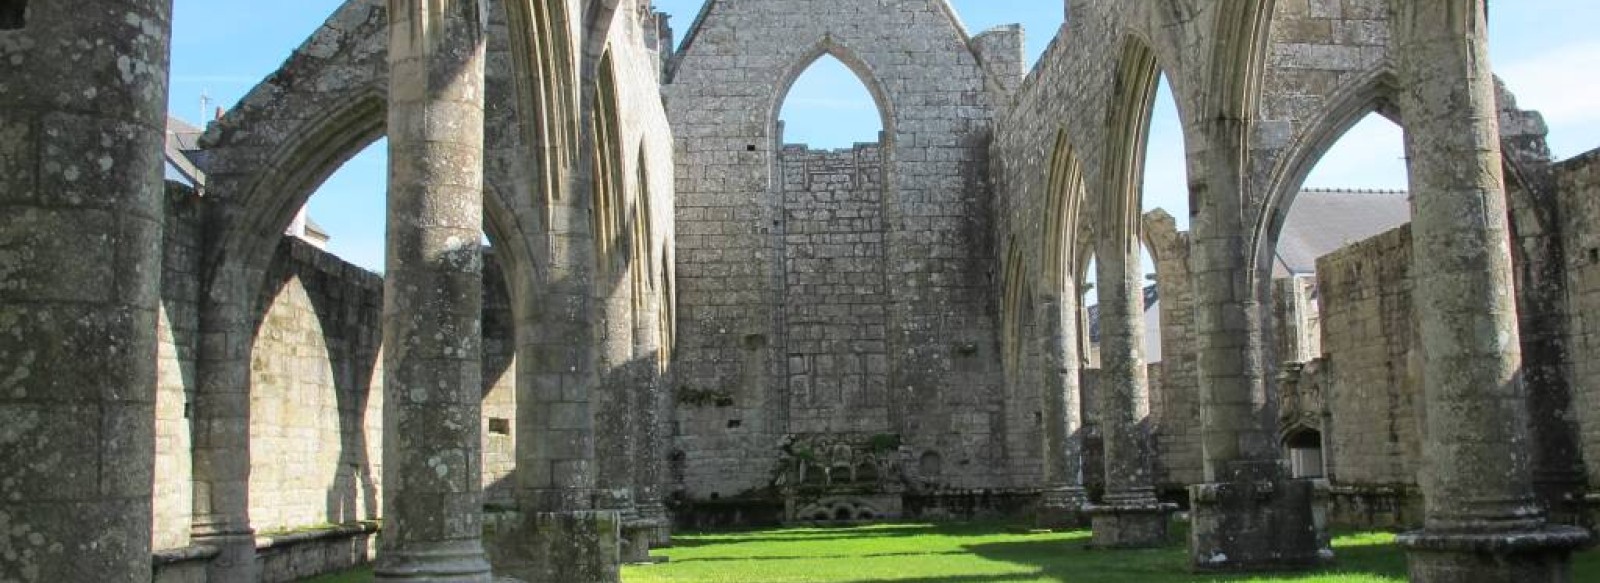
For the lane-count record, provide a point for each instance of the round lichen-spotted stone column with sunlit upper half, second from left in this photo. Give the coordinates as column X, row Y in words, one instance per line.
column 434, row 296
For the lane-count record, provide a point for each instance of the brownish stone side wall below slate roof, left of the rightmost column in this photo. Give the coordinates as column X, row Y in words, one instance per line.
column 1375, row 390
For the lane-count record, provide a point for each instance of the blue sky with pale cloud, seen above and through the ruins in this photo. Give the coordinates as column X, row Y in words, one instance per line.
column 1545, row 49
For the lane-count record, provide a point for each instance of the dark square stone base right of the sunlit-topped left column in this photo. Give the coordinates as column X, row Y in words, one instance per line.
column 556, row 547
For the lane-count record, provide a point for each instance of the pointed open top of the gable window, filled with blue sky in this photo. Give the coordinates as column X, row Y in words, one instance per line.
column 830, row 108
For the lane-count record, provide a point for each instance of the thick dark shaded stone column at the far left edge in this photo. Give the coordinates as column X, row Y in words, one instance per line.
column 82, row 123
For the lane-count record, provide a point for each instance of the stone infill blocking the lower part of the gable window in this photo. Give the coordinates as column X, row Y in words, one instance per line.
column 836, row 304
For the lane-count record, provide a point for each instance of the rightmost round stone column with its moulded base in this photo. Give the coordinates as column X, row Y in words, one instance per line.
column 1484, row 521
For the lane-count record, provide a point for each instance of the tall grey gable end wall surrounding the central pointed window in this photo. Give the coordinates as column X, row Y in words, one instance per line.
column 937, row 97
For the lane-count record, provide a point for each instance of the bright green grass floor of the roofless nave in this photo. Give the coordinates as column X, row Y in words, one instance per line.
column 970, row 553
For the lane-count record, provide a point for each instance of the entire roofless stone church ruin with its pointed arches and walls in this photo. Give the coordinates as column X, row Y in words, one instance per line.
column 686, row 321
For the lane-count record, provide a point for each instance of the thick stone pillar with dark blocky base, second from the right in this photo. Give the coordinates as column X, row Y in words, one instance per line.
column 1249, row 515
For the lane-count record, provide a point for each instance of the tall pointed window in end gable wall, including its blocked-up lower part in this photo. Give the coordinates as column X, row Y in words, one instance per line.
column 836, row 246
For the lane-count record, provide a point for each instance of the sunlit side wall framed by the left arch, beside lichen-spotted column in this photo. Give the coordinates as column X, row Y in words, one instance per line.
column 316, row 406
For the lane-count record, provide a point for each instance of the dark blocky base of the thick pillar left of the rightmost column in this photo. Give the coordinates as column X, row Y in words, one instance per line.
column 1258, row 525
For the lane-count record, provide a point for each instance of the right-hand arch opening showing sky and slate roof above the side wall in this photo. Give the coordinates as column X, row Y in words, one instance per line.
column 1354, row 193
